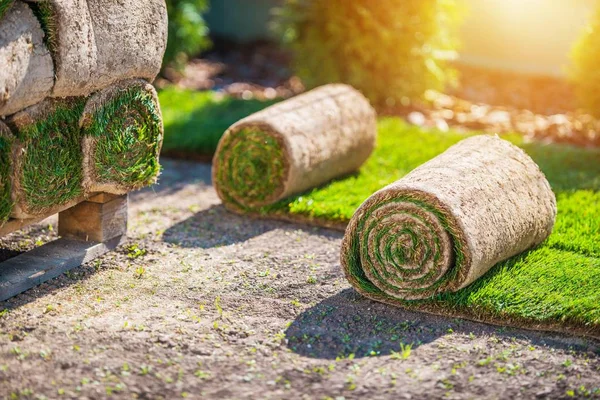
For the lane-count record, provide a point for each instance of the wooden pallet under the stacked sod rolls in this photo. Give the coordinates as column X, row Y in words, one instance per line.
column 87, row 230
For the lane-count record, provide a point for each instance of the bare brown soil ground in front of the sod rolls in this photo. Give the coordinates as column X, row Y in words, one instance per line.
column 200, row 303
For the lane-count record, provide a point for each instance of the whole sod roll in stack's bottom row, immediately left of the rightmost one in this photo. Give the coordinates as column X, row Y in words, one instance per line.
column 47, row 158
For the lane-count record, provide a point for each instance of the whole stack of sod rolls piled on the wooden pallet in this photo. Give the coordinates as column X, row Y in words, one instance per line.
column 78, row 114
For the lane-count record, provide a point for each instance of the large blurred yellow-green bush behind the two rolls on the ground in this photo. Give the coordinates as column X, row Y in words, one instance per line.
column 391, row 50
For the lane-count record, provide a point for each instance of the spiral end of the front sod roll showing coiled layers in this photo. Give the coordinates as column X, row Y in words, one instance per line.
column 405, row 246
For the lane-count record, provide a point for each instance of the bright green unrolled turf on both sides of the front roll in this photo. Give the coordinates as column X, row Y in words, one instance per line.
column 555, row 286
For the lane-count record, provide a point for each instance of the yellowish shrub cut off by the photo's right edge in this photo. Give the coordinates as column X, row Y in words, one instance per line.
column 585, row 68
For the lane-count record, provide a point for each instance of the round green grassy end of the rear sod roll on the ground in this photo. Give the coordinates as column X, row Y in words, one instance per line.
column 253, row 168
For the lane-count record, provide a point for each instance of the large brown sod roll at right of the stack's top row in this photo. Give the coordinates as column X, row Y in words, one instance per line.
column 96, row 43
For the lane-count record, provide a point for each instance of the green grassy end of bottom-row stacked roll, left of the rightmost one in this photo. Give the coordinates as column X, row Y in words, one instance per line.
column 52, row 165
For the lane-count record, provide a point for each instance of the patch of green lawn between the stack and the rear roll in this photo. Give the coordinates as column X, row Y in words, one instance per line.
column 194, row 121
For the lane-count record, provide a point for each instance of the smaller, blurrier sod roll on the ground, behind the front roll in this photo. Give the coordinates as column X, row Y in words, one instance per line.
column 293, row 146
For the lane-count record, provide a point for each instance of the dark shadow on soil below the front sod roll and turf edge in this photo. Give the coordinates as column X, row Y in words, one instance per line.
column 348, row 323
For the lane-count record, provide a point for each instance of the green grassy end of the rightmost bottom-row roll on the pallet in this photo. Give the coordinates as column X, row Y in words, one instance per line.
column 128, row 134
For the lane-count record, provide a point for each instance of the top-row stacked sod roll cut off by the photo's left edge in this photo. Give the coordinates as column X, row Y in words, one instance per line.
column 27, row 72
